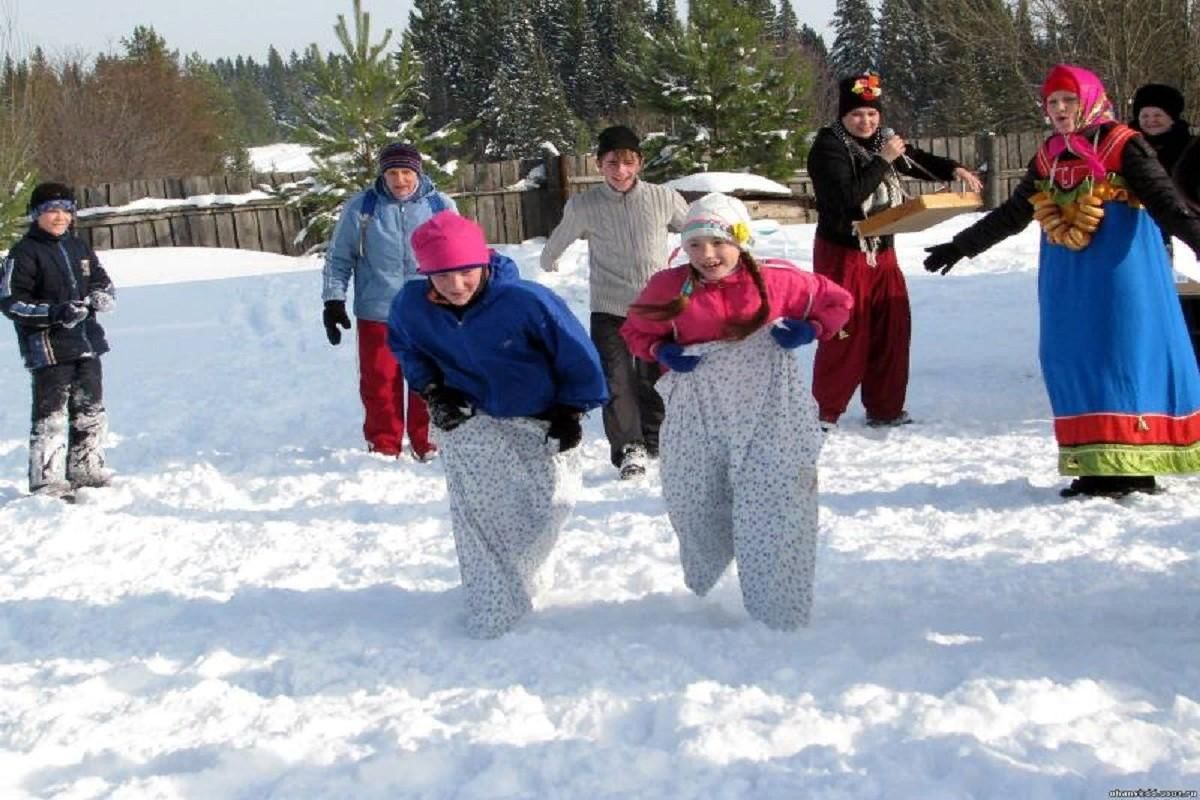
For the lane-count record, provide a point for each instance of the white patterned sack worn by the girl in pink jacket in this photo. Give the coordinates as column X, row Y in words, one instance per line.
column 740, row 449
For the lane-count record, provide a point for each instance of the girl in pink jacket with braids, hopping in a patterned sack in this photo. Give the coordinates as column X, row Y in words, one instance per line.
column 741, row 440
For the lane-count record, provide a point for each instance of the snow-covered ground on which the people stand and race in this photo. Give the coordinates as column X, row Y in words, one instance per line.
column 259, row 609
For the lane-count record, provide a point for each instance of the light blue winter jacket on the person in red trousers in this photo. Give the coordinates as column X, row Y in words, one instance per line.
column 388, row 261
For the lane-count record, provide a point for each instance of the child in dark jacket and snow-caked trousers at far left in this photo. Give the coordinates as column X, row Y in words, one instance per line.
column 52, row 290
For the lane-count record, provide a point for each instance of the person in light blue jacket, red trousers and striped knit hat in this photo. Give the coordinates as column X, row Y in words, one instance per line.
column 371, row 244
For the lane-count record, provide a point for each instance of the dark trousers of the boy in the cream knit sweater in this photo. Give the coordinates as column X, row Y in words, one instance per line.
column 634, row 412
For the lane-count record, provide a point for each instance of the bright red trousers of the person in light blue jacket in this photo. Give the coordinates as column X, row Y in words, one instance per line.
column 382, row 388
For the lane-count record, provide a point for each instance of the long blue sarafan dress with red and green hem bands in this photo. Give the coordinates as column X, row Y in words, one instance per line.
column 1117, row 358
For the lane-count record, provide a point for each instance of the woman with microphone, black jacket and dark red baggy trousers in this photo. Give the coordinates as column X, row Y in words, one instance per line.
column 856, row 167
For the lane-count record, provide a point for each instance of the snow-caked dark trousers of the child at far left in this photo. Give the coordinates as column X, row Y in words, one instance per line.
column 69, row 423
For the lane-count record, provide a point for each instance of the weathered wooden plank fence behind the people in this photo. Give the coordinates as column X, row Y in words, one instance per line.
column 513, row 201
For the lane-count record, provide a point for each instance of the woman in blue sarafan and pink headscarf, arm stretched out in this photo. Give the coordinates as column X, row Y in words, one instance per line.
column 1117, row 359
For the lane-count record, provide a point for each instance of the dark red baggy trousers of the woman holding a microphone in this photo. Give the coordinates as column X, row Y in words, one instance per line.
column 875, row 354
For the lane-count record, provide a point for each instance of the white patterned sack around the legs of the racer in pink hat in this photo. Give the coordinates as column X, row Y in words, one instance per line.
column 511, row 494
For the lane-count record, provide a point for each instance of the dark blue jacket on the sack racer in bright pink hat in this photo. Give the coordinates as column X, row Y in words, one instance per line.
column 517, row 352
